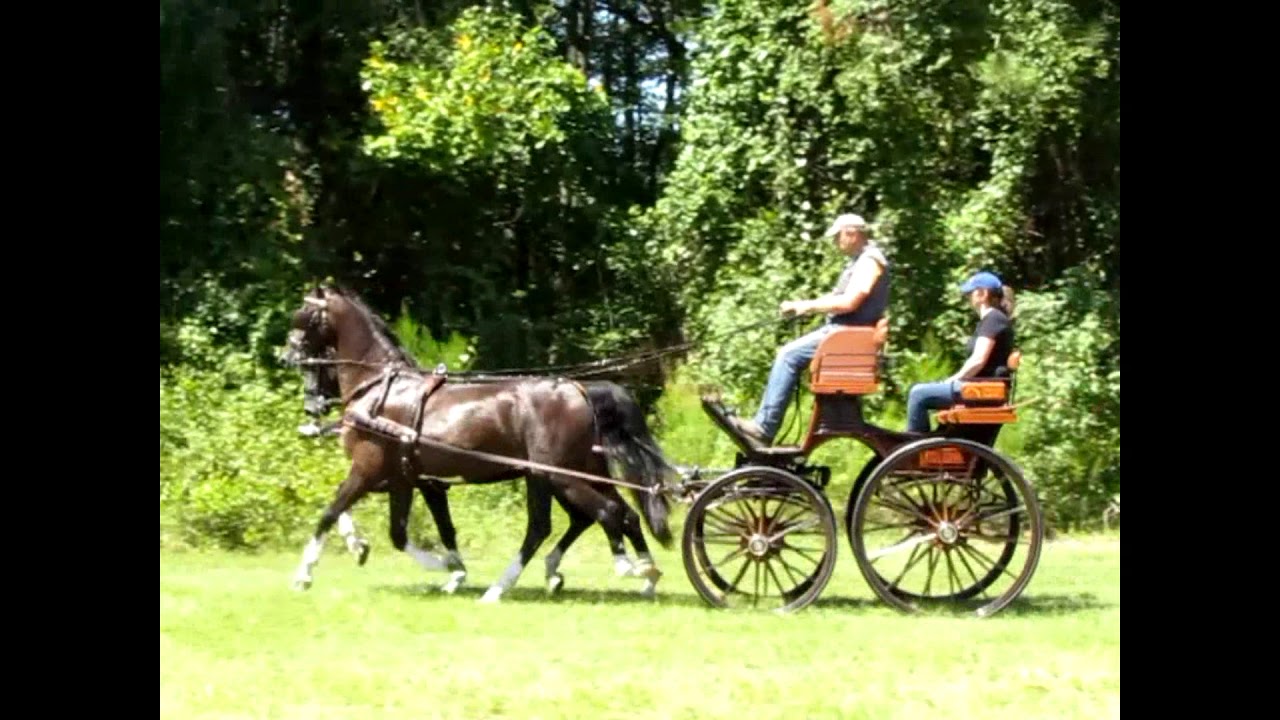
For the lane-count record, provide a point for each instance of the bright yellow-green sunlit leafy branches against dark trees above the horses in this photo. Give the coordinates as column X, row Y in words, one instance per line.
column 487, row 104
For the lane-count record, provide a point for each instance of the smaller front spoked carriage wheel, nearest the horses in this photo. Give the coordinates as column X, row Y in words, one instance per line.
column 761, row 537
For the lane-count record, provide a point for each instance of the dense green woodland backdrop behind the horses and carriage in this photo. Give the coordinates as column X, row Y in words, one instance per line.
column 508, row 175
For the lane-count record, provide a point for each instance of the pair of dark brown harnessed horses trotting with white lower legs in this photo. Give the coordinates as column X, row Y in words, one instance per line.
column 349, row 353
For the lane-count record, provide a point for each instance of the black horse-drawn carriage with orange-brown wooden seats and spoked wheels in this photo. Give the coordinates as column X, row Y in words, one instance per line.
column 947, row 500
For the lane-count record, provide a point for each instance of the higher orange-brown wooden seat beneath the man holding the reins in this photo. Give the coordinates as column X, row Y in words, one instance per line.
column 848, row 362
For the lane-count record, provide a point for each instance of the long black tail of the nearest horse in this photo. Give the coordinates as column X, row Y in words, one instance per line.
column 628, row 441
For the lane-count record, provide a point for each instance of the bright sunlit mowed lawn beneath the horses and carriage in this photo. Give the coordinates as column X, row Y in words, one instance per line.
column 381, row 642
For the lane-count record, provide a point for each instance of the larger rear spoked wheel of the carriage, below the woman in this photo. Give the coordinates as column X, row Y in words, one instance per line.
column 947, row 521
